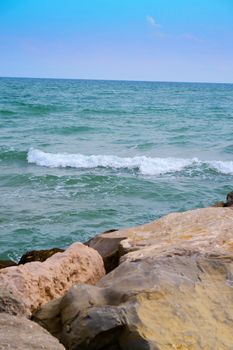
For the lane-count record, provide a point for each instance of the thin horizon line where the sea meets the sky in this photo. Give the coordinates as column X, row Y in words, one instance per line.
column 120, row 80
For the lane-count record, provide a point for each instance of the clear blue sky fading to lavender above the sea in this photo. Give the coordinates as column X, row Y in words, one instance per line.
column 155, row 40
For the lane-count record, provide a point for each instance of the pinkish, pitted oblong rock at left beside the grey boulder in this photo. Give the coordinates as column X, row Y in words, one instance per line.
column 36, row 283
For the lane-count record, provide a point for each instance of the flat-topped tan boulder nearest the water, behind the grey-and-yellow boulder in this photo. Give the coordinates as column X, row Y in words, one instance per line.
column 206, row 230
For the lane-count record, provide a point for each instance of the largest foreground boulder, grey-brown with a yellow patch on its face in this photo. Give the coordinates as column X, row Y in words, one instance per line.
column 166, row 303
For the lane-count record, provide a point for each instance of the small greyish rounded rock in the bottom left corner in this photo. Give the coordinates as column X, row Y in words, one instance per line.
column 18, row 333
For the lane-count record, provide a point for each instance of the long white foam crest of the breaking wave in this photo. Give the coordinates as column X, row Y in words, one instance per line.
column 146, row 165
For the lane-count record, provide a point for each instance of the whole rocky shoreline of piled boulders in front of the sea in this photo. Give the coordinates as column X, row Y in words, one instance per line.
column 164, row 285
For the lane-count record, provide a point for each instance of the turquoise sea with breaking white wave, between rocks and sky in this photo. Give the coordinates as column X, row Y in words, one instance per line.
column 80, row 157
